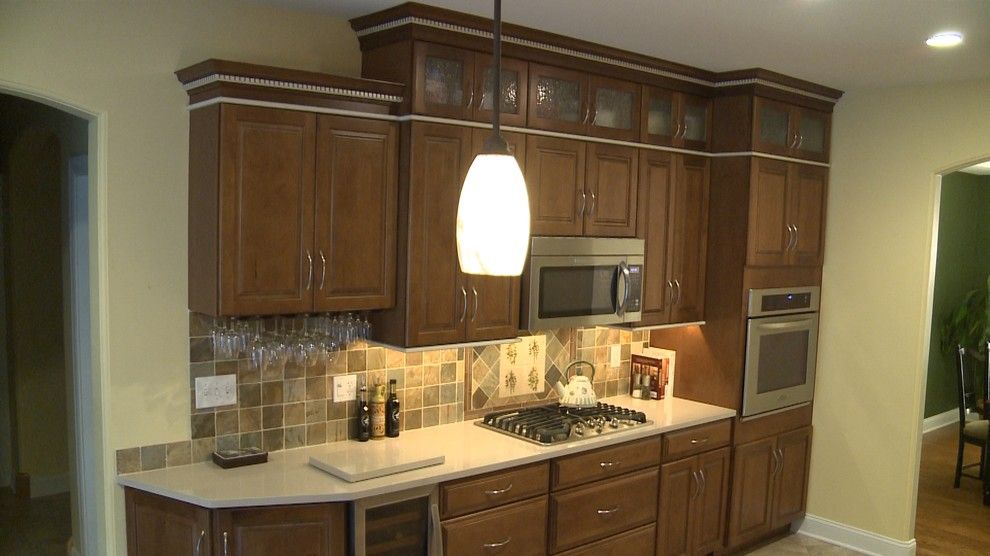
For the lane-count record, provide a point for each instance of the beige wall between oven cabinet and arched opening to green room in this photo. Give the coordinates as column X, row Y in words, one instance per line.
column 887, row 147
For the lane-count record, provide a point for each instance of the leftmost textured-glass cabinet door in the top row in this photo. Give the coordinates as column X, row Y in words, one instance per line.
column 443, row 81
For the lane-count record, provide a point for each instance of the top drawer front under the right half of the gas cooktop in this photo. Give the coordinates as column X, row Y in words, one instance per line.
column 608, row 462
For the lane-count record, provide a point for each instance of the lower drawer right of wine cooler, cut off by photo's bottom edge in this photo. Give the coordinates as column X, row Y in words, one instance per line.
column 516, row 529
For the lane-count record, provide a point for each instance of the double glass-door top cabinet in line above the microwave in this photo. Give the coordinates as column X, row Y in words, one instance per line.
column 571, row 101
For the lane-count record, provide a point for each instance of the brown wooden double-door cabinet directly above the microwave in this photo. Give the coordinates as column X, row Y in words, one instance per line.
column 578, row 188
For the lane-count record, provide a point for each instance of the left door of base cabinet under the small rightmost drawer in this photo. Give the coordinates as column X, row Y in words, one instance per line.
column 679, row 485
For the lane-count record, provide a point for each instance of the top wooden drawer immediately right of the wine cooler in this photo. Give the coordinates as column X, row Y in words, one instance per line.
column 494, row 489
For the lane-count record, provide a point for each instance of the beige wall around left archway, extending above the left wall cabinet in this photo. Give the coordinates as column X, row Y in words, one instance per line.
column 118, row 59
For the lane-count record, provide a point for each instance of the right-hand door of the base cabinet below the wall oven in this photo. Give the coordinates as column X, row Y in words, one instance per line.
column 791, row 489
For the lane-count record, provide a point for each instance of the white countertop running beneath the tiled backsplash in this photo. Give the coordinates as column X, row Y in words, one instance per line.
column 287, row 477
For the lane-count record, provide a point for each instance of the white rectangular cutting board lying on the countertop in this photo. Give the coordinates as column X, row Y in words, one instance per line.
column 355, row 462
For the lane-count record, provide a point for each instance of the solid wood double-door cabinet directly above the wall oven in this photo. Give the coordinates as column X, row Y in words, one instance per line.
column 786, row 214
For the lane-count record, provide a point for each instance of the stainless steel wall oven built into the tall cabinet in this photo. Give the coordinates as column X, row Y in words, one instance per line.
column 781, row 348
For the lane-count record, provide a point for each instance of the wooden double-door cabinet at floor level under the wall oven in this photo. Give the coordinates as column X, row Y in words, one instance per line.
column 769, row 485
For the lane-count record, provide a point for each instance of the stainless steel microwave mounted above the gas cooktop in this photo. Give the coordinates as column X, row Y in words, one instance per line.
column 582, row 281
